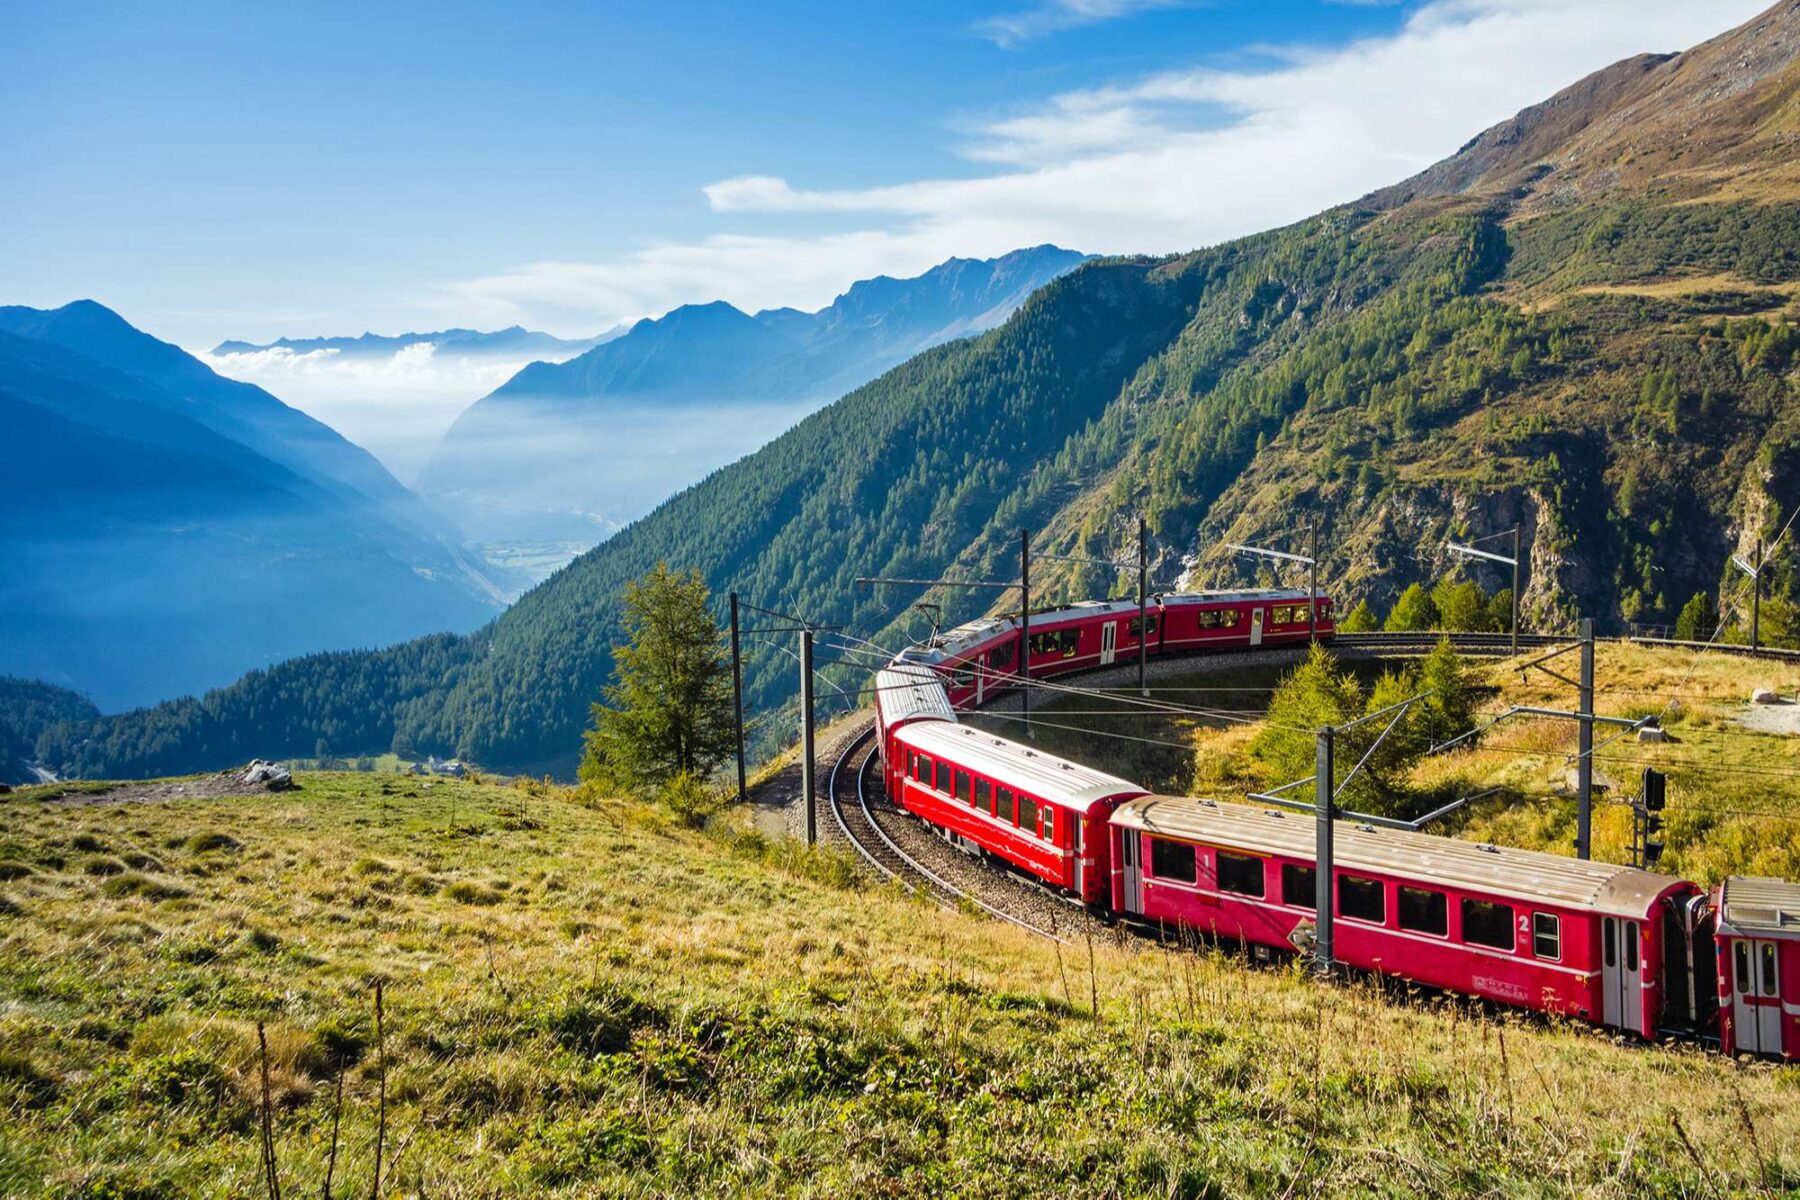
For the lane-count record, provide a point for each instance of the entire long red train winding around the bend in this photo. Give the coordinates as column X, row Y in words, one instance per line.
column 1617, row 947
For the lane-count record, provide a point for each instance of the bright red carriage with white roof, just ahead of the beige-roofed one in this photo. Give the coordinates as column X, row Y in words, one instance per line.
column 1043, row 814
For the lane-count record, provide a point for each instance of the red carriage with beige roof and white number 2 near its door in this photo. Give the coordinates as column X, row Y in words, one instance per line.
column 1527, row 929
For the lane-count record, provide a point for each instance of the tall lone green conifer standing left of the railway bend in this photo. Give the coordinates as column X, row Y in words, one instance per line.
column 669, row 708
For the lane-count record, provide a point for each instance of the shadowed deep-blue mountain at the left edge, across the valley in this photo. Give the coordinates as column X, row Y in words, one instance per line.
column 166, row 530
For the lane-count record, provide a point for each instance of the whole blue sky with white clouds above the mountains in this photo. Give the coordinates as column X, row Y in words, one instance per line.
column 292, row 170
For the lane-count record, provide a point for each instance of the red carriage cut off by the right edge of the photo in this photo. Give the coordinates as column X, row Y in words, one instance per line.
column 1759, row 967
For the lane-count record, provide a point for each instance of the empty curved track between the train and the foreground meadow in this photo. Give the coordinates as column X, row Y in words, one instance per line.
column 901, row 850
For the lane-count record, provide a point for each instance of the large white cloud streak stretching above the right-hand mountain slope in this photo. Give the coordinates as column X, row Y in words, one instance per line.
column 1153, row 165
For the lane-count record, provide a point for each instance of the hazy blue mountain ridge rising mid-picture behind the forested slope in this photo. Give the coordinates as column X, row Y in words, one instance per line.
column 573, row 451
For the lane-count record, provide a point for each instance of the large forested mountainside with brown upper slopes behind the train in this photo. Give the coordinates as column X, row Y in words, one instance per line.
column 1579, row 325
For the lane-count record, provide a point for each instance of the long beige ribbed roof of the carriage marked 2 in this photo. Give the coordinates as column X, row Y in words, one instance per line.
column 1529, row 877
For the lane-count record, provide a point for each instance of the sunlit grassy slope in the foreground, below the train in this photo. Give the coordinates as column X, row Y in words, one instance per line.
column 582, row 999
